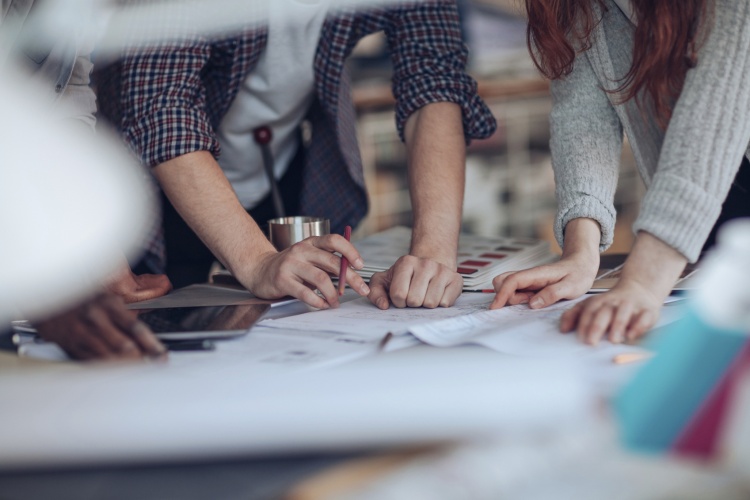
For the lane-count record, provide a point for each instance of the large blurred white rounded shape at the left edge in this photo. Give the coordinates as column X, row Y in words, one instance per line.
column 70, row 203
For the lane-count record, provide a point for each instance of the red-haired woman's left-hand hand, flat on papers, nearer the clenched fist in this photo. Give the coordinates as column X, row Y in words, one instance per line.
column 568, row 278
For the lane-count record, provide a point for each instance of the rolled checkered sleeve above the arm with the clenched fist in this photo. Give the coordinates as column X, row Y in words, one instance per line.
column 429, row 60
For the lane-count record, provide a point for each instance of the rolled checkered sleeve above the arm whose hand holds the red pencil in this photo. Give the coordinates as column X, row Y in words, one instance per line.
column 163, row 101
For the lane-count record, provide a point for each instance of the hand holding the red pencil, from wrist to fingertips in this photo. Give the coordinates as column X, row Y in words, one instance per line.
column 303, row 268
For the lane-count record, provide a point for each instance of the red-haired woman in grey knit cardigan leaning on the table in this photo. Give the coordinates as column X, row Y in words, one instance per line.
column 671, row 74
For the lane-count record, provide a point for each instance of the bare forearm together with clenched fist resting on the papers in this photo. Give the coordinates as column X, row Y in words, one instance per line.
column 437, row 157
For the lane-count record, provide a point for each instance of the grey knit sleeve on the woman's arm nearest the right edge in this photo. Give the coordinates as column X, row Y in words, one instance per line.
column 706, row 138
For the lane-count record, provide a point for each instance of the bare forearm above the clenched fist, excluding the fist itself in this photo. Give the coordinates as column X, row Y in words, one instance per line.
column 437, row 158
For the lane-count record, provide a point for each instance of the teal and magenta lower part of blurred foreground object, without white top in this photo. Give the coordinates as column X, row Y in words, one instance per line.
column 677, row 402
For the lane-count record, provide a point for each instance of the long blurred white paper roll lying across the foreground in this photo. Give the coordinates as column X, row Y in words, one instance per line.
column 150, row 413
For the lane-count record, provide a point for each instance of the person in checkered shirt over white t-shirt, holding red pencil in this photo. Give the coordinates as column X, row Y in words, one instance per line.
column 179, row 106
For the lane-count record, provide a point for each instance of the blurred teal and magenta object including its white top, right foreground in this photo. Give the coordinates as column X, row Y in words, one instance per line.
column 678, row 402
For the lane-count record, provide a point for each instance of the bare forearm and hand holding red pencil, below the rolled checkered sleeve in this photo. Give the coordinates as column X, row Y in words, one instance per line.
column 202, row 195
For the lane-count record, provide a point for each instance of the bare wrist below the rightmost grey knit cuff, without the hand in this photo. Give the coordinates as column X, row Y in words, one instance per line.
column 653, row 264
